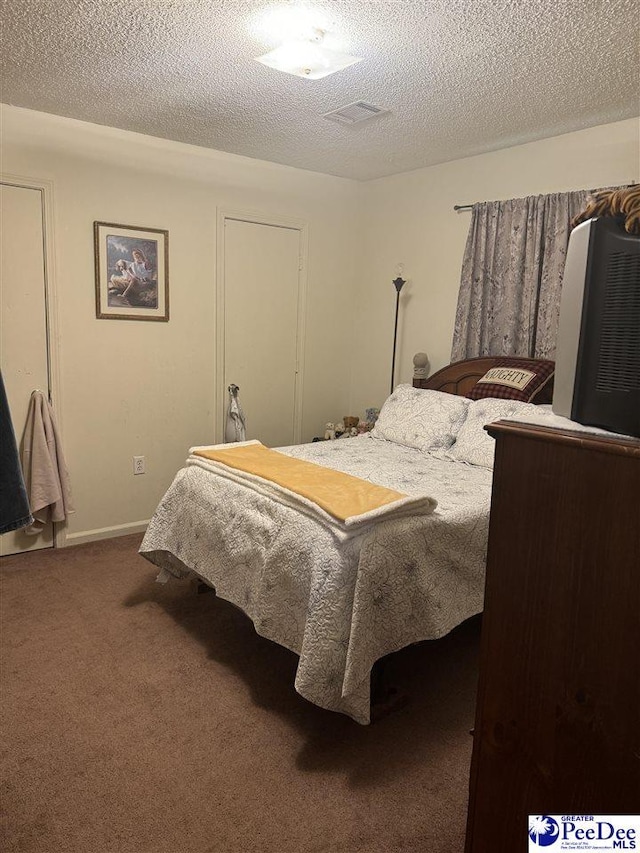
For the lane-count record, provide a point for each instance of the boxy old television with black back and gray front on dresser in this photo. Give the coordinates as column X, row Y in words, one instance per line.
column 597, row 378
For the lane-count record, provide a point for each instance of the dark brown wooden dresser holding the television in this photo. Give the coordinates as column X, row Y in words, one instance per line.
column 558, row 714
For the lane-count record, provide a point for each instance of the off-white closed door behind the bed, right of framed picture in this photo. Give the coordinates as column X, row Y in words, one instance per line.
column 262, row 326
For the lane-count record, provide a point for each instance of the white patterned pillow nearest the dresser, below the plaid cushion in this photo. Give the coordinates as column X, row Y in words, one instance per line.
column 473, row 444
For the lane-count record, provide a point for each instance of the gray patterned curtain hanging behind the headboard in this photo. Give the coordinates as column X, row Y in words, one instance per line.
column 509, row 297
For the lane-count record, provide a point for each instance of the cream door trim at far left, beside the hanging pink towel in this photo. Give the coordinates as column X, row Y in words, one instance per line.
column 47, row 206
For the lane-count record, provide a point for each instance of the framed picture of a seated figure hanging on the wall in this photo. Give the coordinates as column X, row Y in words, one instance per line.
column 132, row 272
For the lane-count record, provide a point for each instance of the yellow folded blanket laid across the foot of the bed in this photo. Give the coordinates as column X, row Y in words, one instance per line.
column 341, row 495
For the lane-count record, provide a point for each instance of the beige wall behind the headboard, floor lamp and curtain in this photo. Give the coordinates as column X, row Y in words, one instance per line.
column 409, row 218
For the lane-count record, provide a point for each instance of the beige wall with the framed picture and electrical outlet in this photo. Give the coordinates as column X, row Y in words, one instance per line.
column 138, row 388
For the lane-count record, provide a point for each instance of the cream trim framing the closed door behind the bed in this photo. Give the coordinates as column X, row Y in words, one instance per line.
column 231, row 214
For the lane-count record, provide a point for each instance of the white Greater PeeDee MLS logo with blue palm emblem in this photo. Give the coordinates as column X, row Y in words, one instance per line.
column 583, row 832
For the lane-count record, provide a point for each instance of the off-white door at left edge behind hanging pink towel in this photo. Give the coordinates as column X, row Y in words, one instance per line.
column 23, row 325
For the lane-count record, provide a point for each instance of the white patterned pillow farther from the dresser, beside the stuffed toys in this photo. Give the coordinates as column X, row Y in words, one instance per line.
column 426, row 420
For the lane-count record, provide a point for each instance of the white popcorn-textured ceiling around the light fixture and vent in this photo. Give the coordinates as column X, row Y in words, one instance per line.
column 460, row 77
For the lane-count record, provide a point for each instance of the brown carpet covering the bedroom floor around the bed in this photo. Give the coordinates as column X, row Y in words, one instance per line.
column 141, row 718
